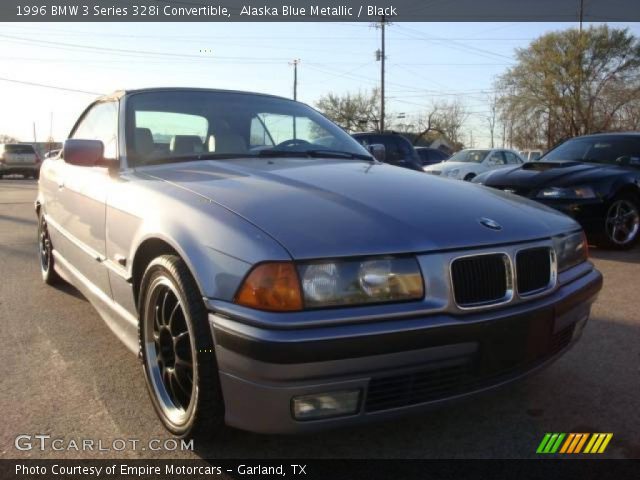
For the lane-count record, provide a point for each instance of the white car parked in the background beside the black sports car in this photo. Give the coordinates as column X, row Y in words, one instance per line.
column 467, row 164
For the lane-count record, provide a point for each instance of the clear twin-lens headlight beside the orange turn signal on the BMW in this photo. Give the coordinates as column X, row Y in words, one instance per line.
column 353, row 282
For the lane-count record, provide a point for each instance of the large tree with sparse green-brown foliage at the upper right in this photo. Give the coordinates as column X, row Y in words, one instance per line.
column 571, row 83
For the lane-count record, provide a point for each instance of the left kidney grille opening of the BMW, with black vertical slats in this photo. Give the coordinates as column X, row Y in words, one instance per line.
column 479, row 280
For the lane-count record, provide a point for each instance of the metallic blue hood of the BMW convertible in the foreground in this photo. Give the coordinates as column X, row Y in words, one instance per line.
column 323, row 208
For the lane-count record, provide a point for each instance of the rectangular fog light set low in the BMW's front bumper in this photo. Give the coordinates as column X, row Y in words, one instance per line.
column 321, row 405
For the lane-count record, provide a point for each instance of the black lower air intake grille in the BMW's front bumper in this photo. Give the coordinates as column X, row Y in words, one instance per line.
column 467, row 375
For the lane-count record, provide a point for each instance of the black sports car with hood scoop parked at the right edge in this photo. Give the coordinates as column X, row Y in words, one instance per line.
column 593, row 178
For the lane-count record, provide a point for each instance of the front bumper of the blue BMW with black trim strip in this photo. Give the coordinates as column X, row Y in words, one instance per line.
column 399, row 365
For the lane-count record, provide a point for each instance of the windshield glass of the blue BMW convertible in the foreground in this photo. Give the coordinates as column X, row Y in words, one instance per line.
column 174, row 125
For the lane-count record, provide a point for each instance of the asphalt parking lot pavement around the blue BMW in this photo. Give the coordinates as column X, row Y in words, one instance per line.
column 65, row 374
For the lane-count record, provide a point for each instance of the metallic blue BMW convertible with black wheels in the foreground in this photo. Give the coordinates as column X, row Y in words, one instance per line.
column 283, row 286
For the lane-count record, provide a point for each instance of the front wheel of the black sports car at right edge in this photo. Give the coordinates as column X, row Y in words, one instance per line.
column 621, row 228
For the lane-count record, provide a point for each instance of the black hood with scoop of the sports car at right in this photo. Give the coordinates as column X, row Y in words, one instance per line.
column 535, row 175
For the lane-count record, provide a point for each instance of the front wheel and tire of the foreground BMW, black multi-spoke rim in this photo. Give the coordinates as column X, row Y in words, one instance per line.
column 177, row 351
